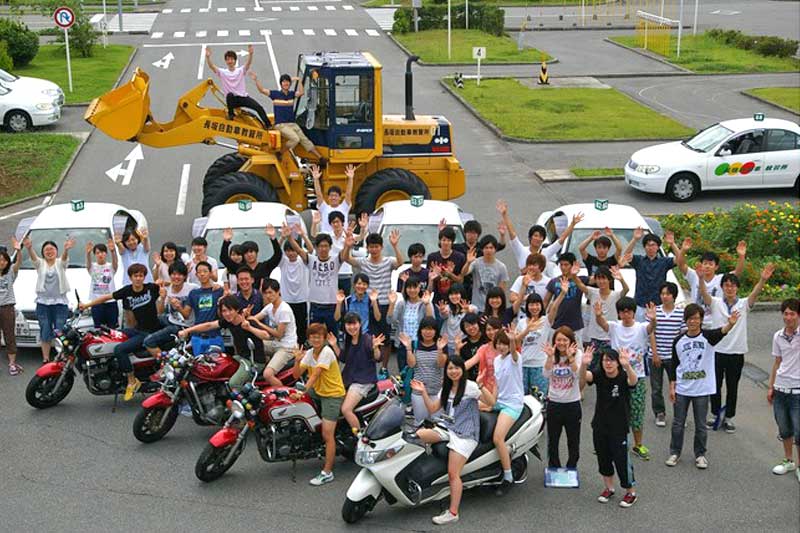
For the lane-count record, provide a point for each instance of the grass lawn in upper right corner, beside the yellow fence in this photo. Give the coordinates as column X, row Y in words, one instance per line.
column 706, row 55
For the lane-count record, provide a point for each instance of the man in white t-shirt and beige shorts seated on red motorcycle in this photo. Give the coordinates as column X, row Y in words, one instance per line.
column 277, row 319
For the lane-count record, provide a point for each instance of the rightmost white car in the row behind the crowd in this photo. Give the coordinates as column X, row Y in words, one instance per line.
column 623, row 219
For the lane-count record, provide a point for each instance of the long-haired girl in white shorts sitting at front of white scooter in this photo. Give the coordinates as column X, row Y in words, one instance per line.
column 459, row 399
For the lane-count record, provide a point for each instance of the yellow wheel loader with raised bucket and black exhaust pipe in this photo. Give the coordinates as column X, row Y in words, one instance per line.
column 341, row 112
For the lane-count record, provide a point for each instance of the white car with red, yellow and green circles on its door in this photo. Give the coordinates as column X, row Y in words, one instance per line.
column 747, row 153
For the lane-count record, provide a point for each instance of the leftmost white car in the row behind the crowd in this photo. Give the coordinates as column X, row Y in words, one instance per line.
column 84, row 222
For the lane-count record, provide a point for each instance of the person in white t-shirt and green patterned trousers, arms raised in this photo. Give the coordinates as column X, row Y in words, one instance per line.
column 634, row 337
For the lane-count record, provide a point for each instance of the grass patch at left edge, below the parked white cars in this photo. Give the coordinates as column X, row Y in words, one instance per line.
column 30, row 163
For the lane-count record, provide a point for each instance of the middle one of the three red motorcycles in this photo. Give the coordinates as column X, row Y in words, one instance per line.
column 203, row 381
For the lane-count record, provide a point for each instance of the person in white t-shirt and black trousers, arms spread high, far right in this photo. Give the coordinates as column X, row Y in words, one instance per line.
column 729, row 353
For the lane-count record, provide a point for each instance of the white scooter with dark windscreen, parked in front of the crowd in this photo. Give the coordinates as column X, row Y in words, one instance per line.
column 396, row 466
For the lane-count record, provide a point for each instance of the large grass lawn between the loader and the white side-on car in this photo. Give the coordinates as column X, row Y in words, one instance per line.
column 567, row 113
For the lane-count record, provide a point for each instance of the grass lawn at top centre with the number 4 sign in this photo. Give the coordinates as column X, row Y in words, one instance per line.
column 431, row 47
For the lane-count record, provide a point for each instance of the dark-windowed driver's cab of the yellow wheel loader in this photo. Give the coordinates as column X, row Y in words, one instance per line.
column 340, row 103
